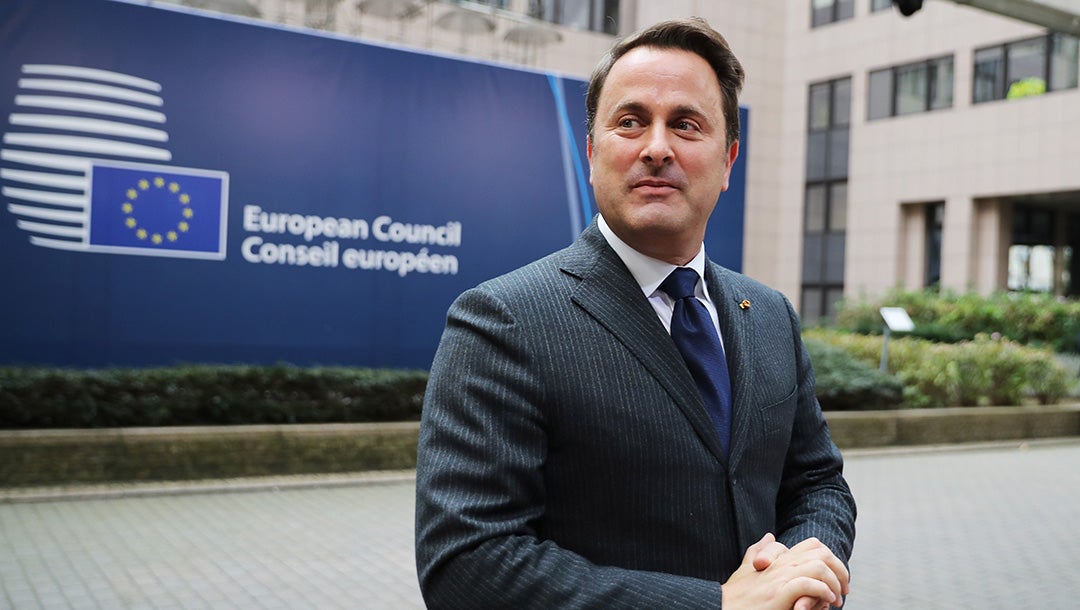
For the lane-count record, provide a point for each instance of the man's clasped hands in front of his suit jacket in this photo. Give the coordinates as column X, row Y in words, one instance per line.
column 806, row 577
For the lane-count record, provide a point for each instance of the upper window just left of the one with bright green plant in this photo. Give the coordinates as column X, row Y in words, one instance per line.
column 911, row 89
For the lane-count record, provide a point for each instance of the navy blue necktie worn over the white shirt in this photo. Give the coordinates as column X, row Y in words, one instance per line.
column 697, row 340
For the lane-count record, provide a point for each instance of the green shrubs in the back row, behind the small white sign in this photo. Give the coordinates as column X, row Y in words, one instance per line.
column 1035, row 320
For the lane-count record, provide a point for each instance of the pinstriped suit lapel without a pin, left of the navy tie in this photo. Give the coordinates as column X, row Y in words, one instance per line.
column 610, row 294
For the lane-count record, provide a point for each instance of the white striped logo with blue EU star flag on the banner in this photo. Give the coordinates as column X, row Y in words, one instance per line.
column 84, row 169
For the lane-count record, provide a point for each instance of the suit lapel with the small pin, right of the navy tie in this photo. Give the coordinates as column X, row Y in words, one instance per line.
column 737, row 329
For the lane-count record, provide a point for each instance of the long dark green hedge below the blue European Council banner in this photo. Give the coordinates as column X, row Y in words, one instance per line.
column 207, row 396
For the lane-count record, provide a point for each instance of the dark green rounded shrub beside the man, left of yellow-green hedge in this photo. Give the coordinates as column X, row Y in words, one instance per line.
column 845, row 384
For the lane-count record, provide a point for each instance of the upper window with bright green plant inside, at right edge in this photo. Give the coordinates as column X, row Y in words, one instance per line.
column 1025, row 67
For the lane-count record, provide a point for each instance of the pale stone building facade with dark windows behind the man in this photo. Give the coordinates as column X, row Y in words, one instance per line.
column 935, row 151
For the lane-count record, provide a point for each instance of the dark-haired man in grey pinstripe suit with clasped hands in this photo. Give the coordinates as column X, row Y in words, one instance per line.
column 569, row 456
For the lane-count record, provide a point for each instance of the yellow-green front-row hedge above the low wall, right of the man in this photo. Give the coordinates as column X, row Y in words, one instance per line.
column 985, row 371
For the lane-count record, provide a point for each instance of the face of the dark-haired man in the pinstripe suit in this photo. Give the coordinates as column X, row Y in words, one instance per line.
column 659, row 157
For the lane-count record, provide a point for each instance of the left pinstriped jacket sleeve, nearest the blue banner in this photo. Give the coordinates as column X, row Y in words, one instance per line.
column 480, row 485
